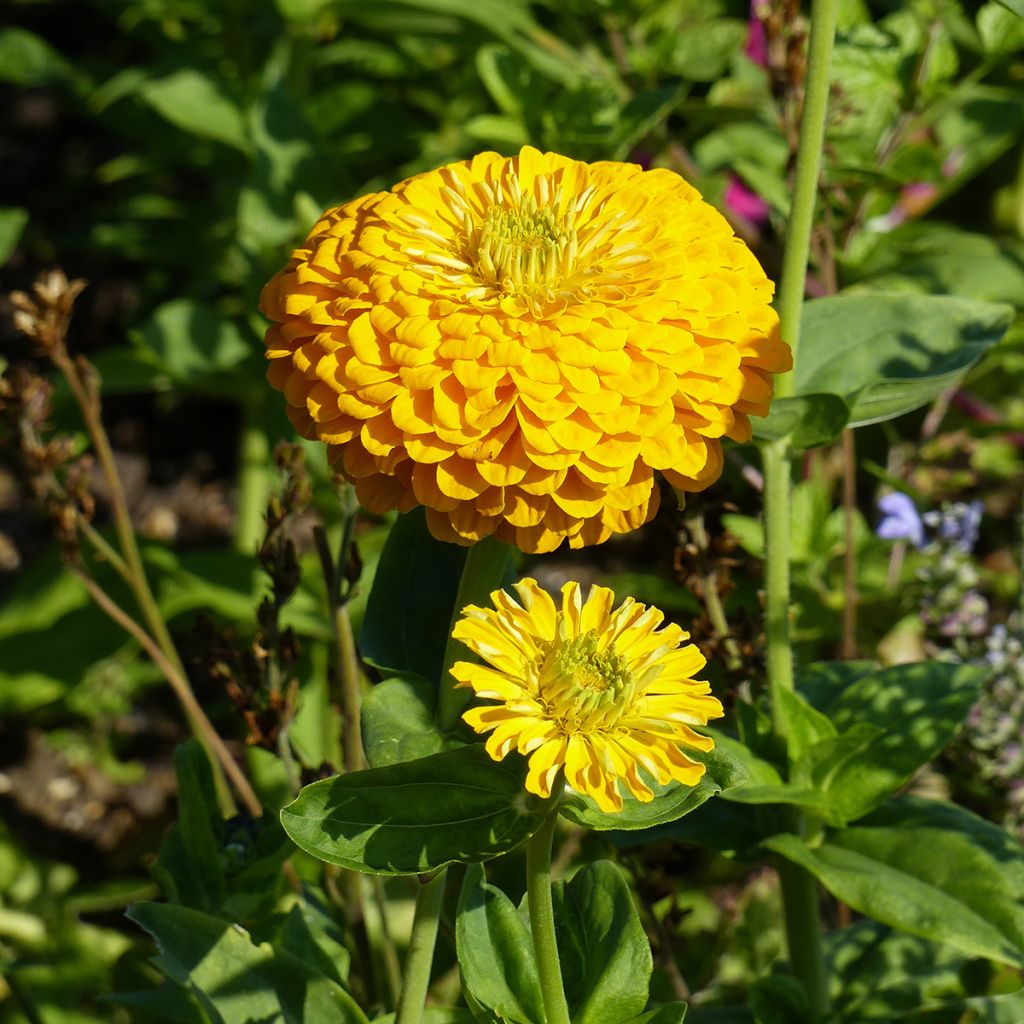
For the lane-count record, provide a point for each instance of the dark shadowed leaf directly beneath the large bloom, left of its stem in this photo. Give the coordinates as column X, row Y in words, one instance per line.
column 409, row 612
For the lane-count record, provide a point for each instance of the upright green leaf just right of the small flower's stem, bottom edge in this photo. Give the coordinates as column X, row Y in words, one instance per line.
column 604, row 949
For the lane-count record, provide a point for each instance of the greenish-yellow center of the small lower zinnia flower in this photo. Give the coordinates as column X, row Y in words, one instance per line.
column 583, row 687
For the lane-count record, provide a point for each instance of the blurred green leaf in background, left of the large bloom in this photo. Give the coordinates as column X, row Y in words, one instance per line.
column 192, row 342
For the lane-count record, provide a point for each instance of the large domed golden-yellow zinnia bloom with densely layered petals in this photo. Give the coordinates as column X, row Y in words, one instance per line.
column 519, row 345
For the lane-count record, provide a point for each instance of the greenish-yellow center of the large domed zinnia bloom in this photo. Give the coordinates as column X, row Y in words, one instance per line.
column 523, row 249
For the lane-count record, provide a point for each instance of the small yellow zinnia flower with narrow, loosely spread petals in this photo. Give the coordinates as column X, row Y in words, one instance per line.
column 600, row 693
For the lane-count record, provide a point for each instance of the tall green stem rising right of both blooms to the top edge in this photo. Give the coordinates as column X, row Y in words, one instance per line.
column 800, row 894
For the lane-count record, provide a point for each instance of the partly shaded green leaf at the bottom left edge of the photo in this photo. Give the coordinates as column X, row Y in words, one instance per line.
column 237, row 979
